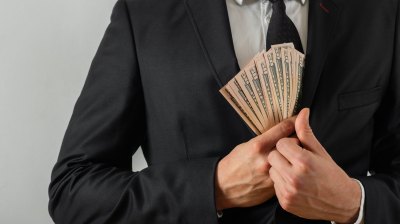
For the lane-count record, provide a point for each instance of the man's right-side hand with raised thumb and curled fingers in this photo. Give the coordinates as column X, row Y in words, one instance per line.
column 307, row 182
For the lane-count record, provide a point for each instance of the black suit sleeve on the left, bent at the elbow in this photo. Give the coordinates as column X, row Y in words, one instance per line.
column 92, row 181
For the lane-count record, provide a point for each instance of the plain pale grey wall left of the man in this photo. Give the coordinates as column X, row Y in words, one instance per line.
column 46, row 47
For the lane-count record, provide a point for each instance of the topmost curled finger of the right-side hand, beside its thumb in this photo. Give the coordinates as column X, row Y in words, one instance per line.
column 290, row 148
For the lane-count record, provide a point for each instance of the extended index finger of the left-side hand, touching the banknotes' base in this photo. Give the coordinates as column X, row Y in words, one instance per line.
column 272, row 136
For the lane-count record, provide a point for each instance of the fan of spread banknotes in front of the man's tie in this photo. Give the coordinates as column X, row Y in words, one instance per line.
column 267, row 90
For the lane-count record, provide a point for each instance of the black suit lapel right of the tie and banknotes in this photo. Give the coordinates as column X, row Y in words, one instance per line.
column 323, row 15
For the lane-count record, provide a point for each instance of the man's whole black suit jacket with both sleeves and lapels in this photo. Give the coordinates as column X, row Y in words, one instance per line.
column 154, row 83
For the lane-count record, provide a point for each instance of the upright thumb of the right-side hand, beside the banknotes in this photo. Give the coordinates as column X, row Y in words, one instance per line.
column 305, row 133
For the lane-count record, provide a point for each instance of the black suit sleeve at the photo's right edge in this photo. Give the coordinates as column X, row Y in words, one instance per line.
column 382, row 189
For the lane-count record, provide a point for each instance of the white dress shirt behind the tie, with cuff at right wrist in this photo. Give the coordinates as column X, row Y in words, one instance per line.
column 249, row 21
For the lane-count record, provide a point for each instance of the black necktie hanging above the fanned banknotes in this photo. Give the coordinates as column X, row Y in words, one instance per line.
column 281, row 29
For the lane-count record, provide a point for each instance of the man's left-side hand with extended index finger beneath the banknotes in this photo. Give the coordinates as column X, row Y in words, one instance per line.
column 242, row 178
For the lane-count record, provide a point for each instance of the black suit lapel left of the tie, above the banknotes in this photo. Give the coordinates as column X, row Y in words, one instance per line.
column 211, row 23
